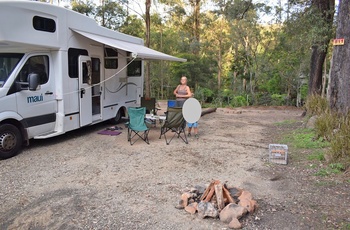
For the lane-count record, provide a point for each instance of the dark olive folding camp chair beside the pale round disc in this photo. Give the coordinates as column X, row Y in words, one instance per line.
column 175, row 123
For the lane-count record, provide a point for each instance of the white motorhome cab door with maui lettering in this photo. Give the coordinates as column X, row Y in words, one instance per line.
column 37, row 106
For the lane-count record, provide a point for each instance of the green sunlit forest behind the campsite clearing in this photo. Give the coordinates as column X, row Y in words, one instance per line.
column 239, row 52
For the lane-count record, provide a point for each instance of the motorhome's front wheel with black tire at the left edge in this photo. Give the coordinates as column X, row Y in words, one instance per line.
column 10, row 141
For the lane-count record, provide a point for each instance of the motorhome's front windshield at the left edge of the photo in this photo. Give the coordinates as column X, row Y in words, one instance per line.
column 8, row 62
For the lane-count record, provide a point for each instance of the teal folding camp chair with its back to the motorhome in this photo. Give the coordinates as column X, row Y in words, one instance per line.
column 136, row 125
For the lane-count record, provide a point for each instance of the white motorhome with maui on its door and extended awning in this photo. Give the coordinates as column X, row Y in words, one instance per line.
column 60, row 71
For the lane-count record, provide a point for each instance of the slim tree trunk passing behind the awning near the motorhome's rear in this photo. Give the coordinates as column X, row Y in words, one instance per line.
column 148, row 41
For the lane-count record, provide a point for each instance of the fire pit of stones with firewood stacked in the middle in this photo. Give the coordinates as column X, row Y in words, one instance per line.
column 218, row 200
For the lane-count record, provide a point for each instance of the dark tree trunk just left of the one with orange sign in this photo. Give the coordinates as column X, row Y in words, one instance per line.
column 325, row 8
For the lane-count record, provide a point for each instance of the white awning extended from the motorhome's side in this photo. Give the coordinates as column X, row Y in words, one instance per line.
column 137, row 50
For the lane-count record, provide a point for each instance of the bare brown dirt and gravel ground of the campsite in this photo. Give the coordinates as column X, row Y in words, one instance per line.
column 83, row 180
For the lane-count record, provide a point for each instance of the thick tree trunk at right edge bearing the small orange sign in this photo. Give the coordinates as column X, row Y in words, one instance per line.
column 339, row 86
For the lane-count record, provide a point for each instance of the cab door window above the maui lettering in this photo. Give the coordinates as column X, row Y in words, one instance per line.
column 35, row 64
